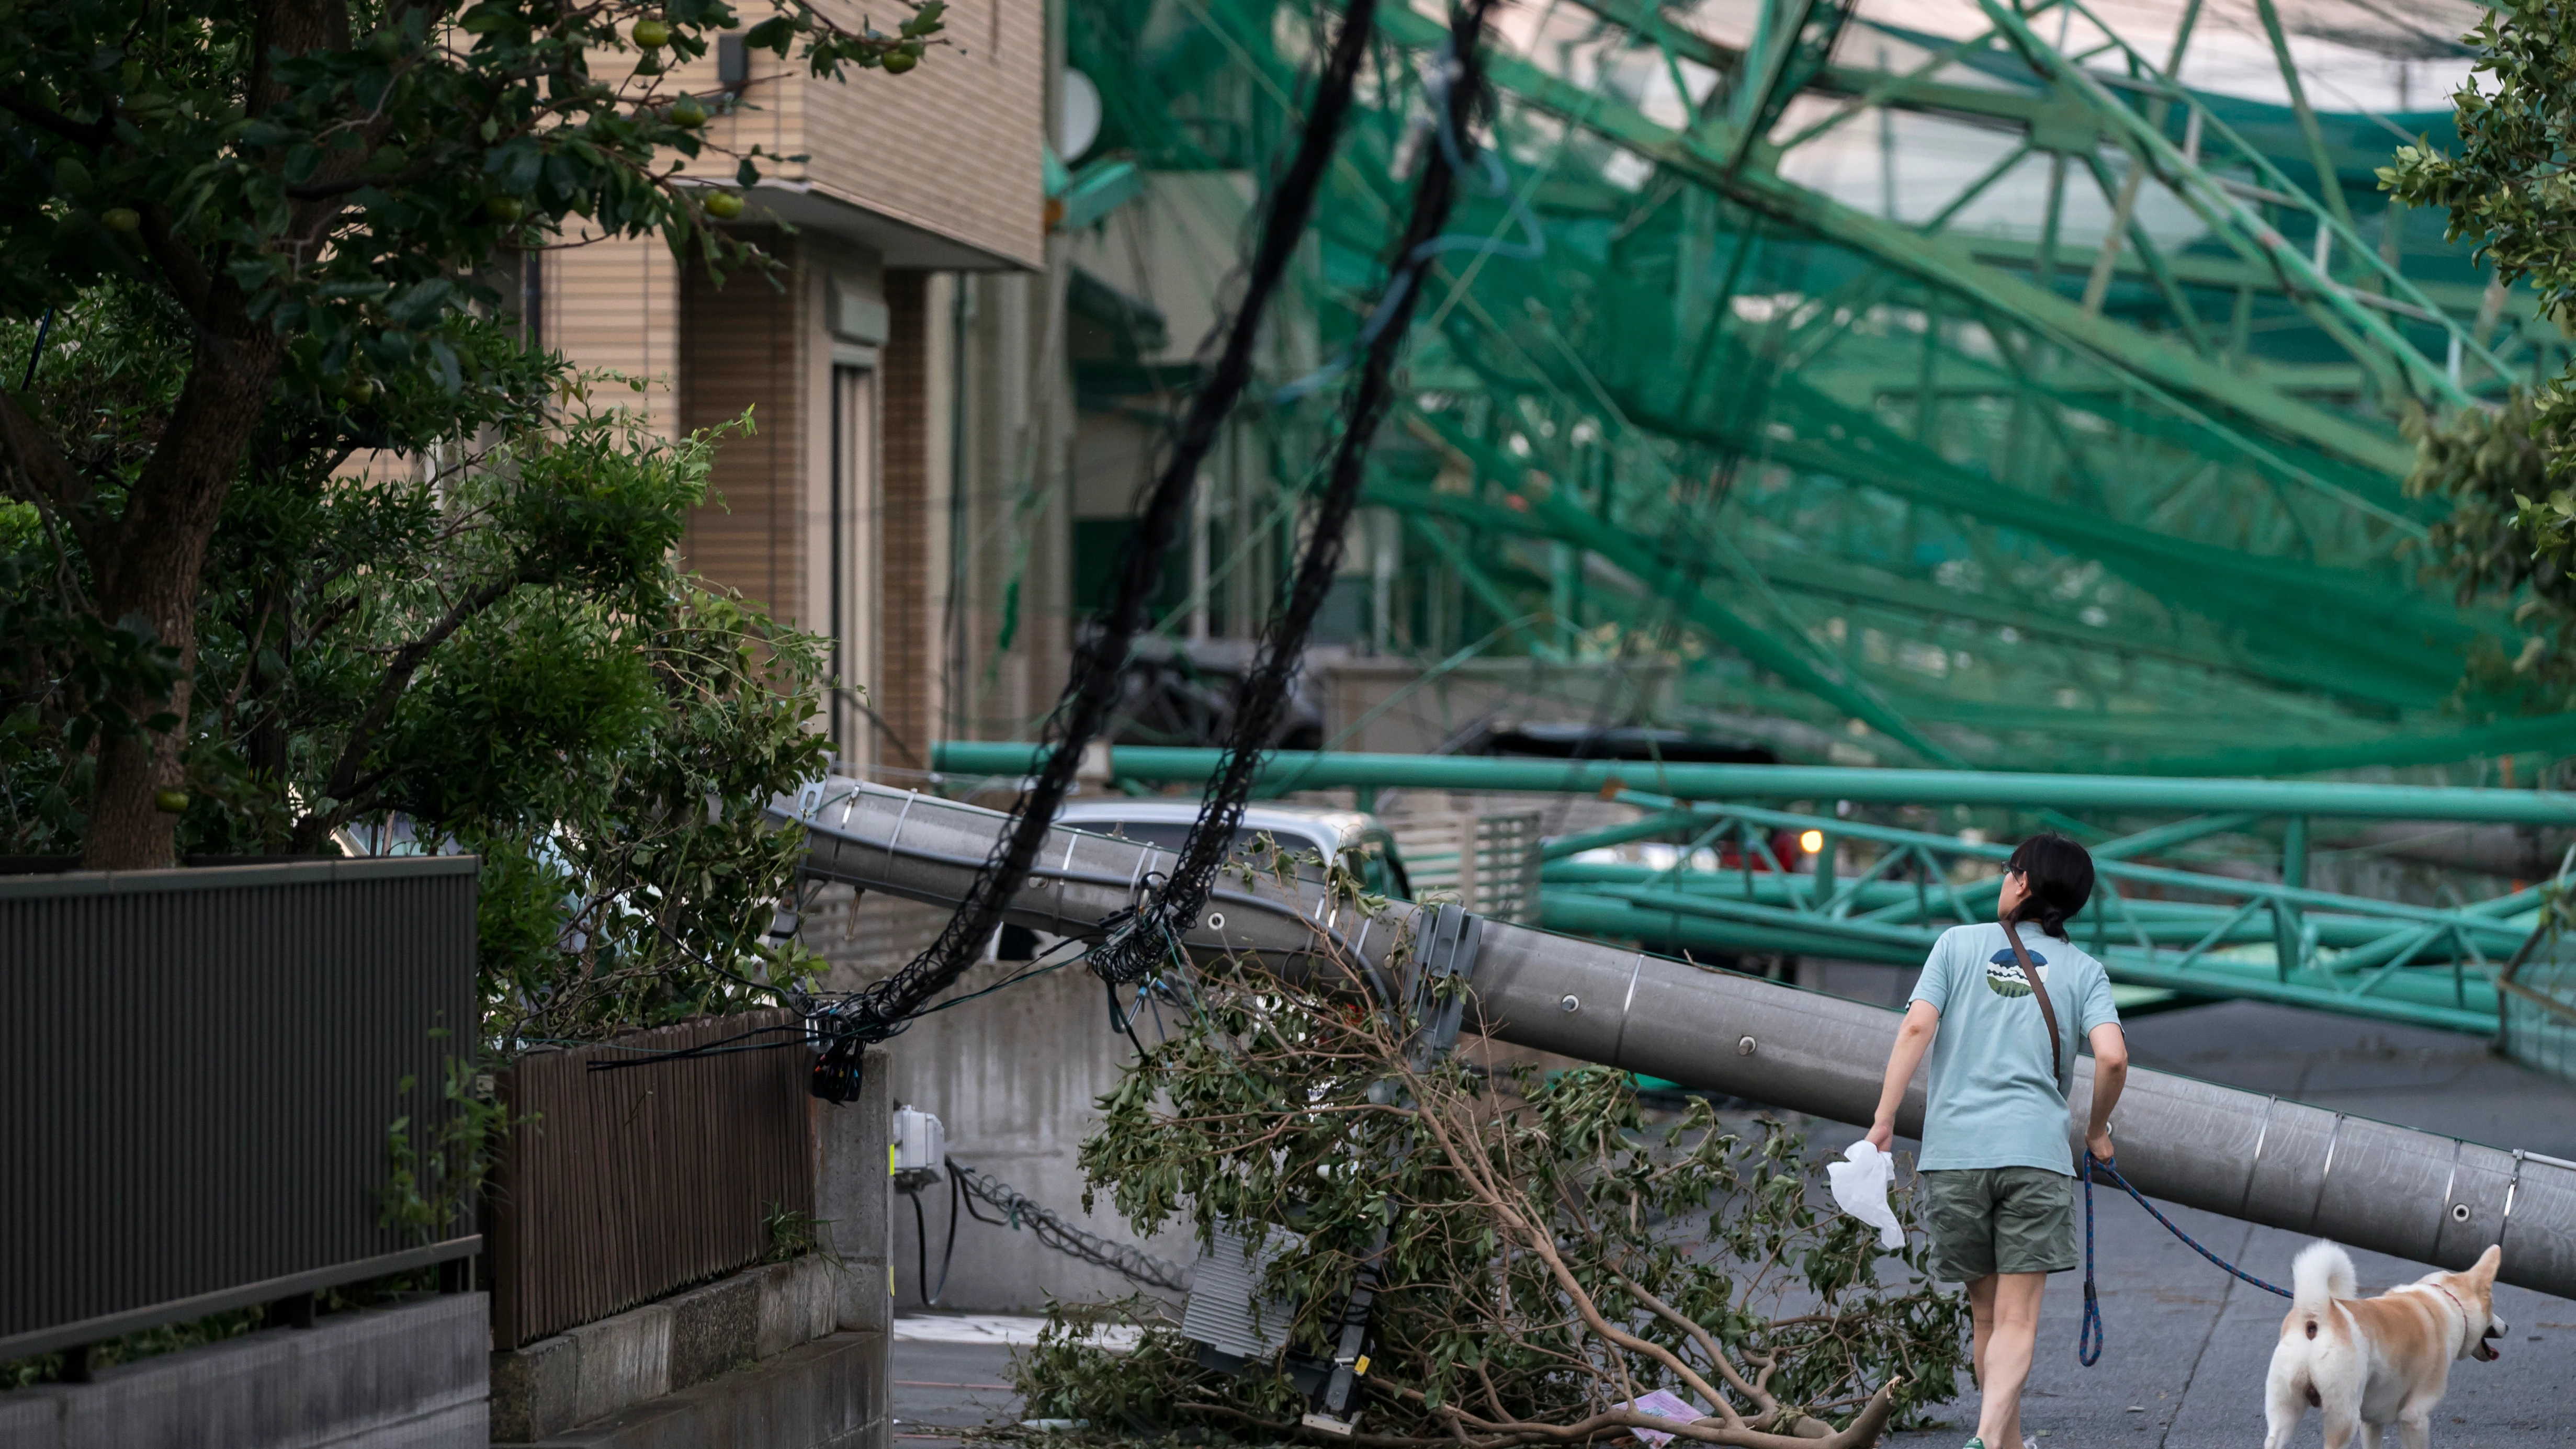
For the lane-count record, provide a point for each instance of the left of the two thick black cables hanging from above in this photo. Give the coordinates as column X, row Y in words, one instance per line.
column 885, row 1008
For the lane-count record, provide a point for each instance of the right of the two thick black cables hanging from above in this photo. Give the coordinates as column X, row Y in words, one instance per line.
column 1142, row 946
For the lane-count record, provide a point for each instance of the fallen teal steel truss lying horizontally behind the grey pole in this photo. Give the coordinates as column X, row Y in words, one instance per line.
column 2170, row 912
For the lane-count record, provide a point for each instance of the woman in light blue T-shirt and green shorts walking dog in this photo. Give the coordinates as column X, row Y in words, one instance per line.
column 2000, row 1008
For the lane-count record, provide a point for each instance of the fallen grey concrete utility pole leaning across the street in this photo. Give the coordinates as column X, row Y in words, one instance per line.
column 2263, row 1159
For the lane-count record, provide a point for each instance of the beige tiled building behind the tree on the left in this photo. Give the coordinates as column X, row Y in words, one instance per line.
column 898, row 372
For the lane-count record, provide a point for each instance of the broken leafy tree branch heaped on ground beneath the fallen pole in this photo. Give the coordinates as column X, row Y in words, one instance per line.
column 1521, row 1229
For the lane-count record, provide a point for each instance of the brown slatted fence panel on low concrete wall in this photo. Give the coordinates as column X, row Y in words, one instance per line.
column 643, row 1180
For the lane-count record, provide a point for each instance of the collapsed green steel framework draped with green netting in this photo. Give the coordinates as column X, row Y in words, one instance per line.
column 2111, row 488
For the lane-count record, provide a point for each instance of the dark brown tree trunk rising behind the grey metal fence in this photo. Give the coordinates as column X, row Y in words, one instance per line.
column 151, row 570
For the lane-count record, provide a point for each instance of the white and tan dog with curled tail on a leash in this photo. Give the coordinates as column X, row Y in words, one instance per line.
column 2371, row 1363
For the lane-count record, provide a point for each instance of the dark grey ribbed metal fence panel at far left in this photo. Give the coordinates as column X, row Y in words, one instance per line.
column 197, row 1080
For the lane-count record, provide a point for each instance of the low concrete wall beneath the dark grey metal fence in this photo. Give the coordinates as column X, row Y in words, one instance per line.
column 383, row 1378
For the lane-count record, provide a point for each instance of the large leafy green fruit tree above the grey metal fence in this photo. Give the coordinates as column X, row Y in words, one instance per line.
column 254, row 246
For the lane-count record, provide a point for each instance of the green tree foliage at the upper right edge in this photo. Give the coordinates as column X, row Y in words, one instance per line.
column 2510, row 472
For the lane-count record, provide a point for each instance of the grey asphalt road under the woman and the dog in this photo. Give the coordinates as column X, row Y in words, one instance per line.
column 2188, row 1345
